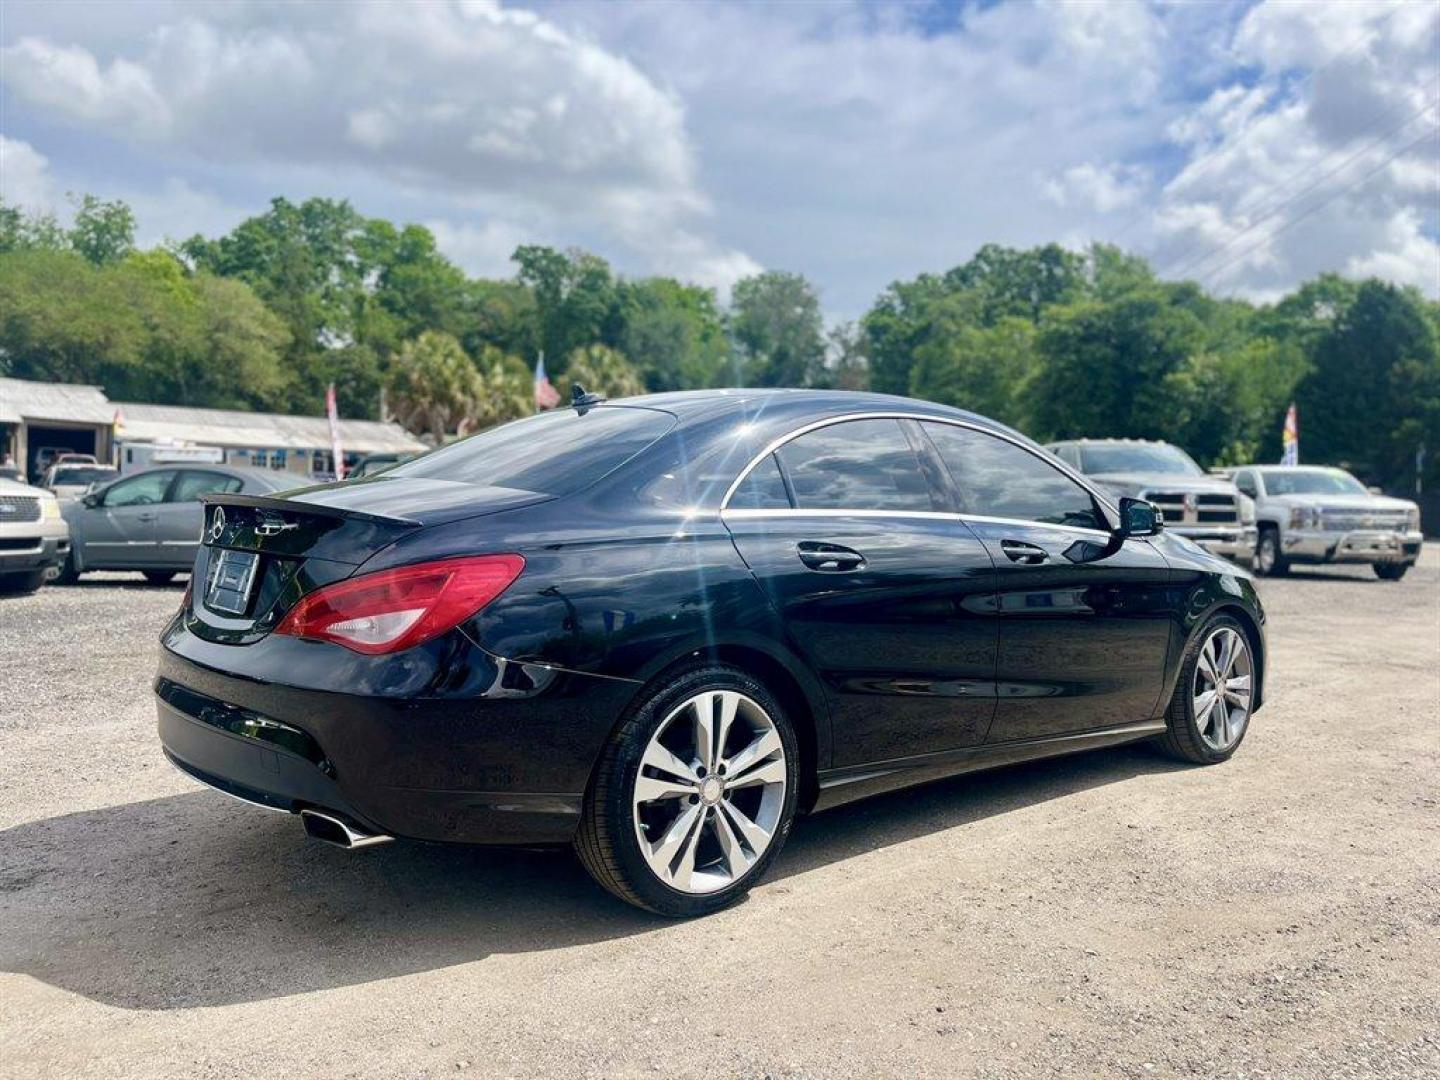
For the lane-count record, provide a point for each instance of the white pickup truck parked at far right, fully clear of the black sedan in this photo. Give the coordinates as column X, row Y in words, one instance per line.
column 1314, row 515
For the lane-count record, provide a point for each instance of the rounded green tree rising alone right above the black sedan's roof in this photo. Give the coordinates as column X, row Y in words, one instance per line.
column 778, row 330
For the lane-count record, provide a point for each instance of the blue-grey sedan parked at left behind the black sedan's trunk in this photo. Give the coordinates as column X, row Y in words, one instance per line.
column 152, row 521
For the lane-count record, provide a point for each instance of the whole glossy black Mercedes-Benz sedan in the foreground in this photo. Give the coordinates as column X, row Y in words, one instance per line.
column 663, row 627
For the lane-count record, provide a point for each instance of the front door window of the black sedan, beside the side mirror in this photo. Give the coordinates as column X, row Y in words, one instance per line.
column 997, row 479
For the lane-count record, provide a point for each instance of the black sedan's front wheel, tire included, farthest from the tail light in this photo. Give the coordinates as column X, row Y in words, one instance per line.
column 1210, row 711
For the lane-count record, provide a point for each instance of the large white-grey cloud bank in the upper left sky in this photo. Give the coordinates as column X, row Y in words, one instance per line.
column 490, row 107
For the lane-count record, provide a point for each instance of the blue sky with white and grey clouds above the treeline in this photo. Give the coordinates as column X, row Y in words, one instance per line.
column 1248, row 146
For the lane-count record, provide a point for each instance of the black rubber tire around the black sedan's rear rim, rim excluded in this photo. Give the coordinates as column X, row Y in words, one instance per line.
column 607, row 842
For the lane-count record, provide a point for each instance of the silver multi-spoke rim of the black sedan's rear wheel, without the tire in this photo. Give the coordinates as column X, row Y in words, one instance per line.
column 711, row 791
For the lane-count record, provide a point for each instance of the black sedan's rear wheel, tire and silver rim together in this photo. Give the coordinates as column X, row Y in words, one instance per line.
column 695, row 794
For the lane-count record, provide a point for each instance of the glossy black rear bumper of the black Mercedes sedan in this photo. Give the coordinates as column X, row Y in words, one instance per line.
column 506, row 765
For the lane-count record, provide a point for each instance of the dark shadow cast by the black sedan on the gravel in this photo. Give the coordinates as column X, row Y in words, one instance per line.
column 195, row 901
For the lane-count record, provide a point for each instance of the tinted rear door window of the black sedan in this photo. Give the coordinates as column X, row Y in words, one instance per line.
column 856, row 466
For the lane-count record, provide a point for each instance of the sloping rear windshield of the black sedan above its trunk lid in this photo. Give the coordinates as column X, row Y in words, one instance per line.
column 552, row 454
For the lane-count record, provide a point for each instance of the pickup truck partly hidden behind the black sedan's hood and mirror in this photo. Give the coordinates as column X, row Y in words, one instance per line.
column 1209, row 510
